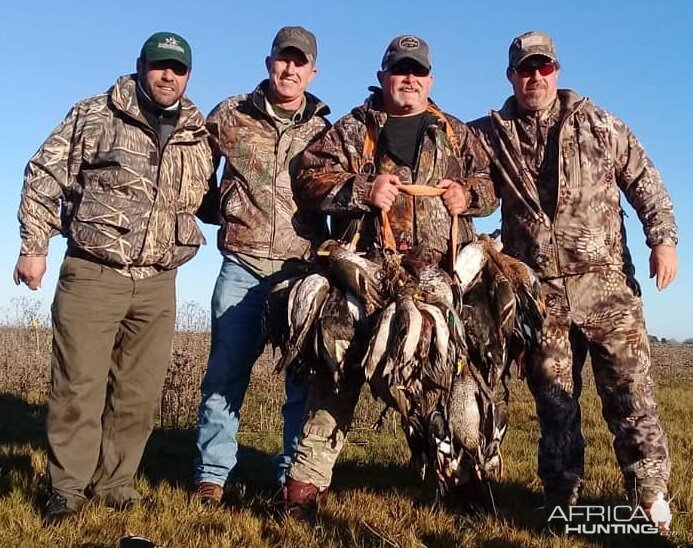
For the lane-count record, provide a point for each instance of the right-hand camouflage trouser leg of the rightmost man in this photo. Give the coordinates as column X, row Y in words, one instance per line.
column 620, row 353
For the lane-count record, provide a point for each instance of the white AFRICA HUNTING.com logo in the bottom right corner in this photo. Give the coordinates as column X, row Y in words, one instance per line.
column 607, row 520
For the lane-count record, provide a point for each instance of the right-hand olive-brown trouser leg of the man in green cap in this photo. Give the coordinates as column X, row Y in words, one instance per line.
column 140, row 359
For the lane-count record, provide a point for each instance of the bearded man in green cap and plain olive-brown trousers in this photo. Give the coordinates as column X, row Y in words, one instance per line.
column 121, row 178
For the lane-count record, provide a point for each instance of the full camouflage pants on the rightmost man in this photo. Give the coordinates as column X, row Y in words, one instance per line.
column 601, row 314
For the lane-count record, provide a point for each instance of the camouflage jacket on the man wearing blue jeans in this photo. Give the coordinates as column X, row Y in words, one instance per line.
column 258, row 213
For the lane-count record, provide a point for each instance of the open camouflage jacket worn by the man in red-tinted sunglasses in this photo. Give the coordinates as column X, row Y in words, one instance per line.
column 598, row 156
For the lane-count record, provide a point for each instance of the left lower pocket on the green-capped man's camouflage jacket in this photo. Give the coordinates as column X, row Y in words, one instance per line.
column 109, row 226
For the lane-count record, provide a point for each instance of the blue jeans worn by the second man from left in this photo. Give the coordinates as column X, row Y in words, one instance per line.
column 237, row 305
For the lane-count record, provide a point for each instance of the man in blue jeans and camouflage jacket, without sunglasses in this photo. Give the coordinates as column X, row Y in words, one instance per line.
column 262, row 238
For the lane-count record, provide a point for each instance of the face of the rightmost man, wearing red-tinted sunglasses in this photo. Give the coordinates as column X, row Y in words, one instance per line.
column 535, row 83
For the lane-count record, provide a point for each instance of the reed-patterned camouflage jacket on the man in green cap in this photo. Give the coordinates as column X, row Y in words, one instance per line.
column 100, row 180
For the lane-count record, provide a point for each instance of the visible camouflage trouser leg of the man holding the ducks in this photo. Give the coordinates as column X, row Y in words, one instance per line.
column 329, row 416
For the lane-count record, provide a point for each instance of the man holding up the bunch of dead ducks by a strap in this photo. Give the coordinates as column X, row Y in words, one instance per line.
column 397, row 137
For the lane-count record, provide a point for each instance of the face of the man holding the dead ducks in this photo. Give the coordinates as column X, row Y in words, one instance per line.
column 406, row 88
